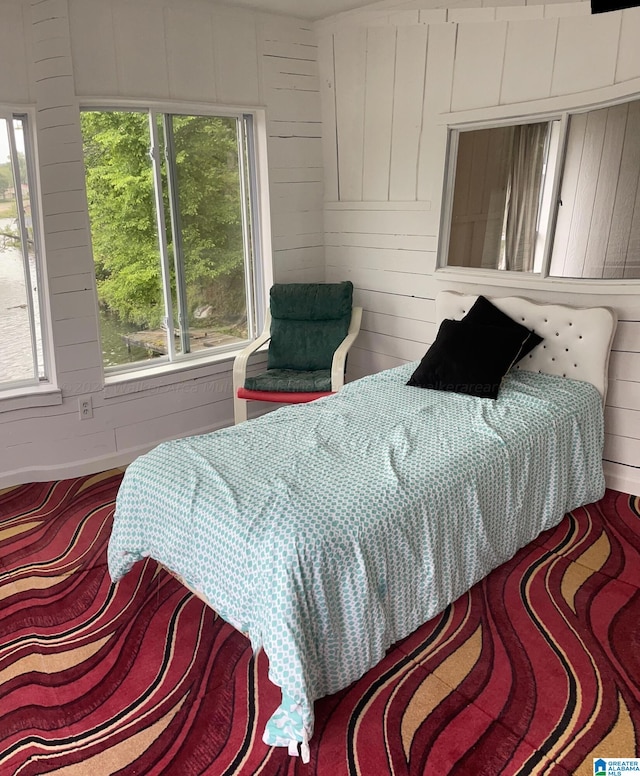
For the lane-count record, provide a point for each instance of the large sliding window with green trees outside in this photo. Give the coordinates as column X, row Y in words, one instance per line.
column 173, row 226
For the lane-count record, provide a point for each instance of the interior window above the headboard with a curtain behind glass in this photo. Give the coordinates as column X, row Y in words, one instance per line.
column 559, row 197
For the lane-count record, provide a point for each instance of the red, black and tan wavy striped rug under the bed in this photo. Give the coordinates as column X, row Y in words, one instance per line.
column 535, row 670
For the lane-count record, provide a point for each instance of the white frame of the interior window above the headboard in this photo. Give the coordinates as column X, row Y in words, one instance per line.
column 501, row 277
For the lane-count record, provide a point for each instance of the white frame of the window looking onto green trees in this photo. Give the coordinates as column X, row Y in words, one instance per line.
column 253, row 120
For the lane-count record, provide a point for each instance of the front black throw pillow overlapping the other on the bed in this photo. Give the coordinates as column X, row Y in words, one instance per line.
column 469, row 359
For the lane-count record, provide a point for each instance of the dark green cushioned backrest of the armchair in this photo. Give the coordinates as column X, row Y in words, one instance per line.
column 308, row 322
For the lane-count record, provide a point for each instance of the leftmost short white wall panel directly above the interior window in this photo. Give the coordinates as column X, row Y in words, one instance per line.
column 477, row 72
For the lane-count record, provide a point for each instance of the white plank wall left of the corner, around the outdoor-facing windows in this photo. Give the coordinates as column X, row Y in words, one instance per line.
column 53, row 55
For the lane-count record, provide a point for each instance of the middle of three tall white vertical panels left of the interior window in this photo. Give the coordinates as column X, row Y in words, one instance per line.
column 378, row 111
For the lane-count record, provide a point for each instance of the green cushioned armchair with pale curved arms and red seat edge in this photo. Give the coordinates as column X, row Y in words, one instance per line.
column 310, row 328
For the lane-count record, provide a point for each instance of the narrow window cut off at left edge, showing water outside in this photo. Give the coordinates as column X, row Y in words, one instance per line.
column 21, row 355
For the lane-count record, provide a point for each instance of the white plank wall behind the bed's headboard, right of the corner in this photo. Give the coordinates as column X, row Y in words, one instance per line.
column 391, row 79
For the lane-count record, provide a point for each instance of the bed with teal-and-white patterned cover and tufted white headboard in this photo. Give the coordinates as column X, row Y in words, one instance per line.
column 328, row 531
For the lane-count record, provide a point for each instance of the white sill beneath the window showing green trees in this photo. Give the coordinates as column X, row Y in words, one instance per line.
column 152, row 378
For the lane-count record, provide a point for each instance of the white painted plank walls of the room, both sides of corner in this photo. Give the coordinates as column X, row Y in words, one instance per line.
column 389, row 79
